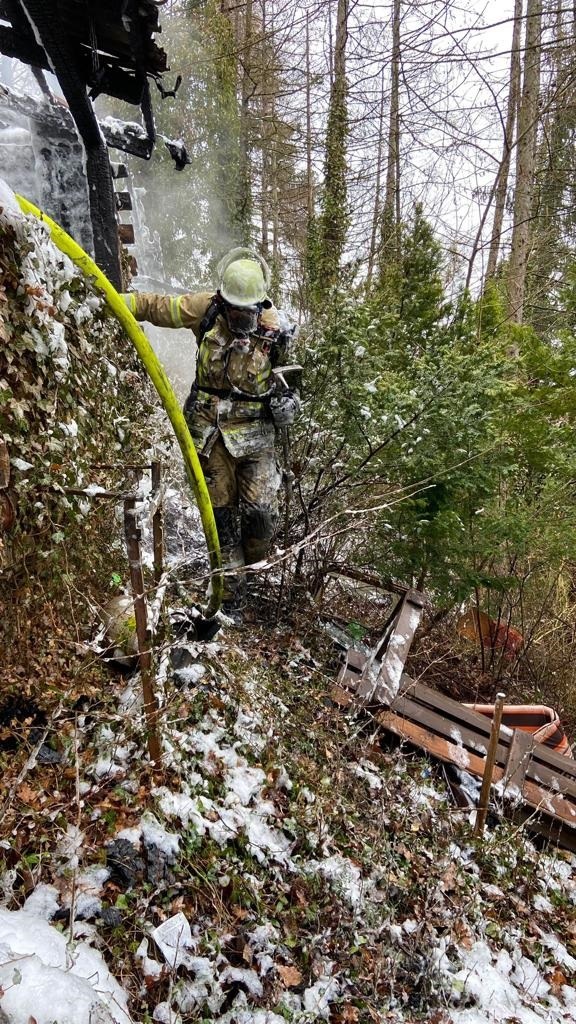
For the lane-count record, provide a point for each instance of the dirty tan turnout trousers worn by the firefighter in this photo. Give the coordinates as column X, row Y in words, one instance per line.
column 244, row 495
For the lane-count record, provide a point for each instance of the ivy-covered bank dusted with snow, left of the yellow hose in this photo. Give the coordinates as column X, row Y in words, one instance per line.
column 72, row 398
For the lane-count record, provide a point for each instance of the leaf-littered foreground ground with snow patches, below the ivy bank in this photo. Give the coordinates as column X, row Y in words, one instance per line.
column 287, row 863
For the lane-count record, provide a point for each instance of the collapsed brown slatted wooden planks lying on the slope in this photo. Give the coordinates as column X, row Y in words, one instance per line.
column 537, row 786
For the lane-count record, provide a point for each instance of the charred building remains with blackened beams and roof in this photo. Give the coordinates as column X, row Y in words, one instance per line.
column 94, row 50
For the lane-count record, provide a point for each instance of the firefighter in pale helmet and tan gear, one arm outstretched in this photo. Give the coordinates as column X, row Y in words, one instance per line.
column 235, row 405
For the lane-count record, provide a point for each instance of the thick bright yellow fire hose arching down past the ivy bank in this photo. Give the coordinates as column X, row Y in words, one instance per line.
column 156, row 373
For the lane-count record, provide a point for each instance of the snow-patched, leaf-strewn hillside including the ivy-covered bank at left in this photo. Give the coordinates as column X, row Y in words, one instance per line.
column 287, row 863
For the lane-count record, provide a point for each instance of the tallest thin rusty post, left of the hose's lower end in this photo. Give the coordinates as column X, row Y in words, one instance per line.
column 152, row 712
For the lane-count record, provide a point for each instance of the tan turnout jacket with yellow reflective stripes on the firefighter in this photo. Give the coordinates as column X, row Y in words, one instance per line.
column 245, row 426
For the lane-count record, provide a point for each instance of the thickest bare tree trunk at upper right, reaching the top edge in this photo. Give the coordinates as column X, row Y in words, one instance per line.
column 526, row 156
